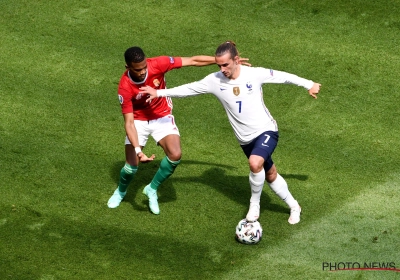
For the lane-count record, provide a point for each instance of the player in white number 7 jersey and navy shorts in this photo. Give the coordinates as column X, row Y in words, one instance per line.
column 239, row 89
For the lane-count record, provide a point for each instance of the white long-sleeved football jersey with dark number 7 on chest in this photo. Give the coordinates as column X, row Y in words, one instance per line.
column 242, row 98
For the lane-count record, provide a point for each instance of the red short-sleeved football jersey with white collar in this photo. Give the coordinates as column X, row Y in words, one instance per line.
column 133, row 102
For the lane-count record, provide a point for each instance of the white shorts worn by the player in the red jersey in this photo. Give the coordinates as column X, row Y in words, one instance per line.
column 158, row 129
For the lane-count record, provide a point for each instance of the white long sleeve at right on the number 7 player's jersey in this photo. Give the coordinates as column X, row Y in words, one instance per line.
column 280, row 77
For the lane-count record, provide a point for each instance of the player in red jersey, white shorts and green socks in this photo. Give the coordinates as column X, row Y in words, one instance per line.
column 143, row 119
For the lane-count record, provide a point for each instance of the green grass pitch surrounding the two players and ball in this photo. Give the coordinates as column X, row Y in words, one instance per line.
column 61, row 141
